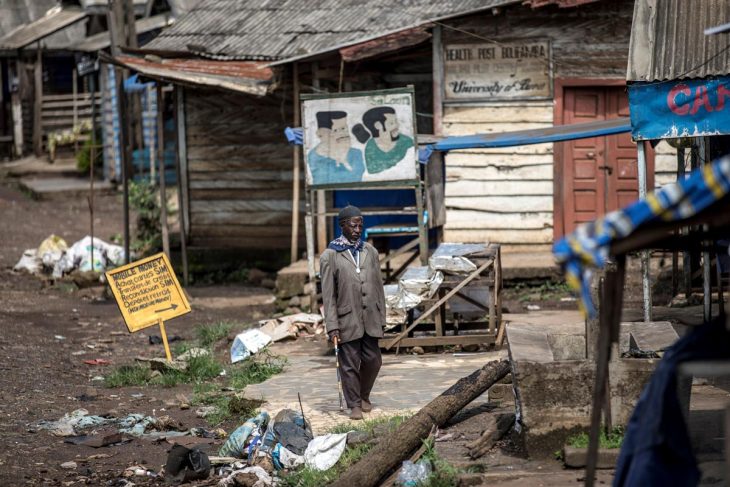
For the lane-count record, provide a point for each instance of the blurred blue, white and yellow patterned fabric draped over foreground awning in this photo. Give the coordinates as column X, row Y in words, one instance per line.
column 588, row 246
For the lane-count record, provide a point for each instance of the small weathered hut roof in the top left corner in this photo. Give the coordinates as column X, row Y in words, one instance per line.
column 46, row 28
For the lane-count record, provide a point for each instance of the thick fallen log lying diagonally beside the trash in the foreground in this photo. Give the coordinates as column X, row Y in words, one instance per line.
column 393, row 449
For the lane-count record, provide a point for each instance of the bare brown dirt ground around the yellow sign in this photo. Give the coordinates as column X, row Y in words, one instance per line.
column 47, row 333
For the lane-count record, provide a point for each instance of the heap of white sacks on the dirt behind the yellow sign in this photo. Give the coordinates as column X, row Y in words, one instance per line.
column 55, row 258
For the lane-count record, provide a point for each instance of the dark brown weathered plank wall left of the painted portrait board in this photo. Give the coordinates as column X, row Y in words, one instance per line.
column 240, row 170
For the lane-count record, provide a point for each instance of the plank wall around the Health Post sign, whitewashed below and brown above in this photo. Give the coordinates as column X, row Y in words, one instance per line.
column 506, row 195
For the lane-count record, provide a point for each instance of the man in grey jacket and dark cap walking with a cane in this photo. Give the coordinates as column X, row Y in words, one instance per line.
column 354, row 308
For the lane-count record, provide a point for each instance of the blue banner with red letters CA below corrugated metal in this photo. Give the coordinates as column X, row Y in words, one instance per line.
column 680, row 108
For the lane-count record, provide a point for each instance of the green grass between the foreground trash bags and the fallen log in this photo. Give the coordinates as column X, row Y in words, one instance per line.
column 307, row 477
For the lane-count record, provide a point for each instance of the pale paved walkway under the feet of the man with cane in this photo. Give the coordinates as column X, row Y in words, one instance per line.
column 406, row 382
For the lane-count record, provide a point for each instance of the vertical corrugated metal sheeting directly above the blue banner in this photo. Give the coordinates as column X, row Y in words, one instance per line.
column 668, row 40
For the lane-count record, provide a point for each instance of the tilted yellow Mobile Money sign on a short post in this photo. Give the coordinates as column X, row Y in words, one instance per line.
column 148, row 293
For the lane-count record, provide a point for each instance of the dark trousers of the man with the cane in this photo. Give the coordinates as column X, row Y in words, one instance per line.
column 360, row 361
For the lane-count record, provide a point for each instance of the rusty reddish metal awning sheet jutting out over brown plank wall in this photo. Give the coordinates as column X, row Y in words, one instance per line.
column 251, row 77
